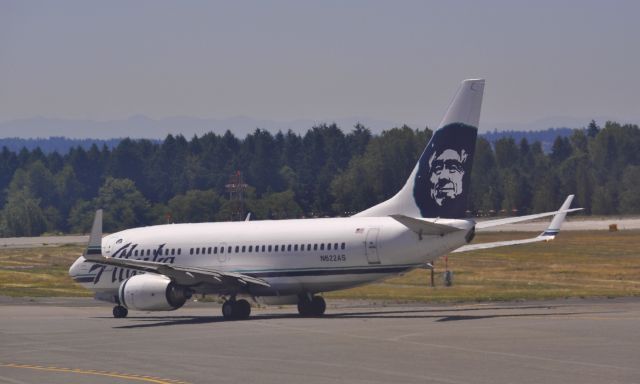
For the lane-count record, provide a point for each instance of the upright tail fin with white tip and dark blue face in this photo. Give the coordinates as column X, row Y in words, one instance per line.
column 440, row 181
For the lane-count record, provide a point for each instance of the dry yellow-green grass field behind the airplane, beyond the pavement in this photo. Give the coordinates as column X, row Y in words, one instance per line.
column 576, row 264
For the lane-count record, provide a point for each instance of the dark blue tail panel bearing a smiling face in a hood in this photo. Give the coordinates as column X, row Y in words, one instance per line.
column 443, row 177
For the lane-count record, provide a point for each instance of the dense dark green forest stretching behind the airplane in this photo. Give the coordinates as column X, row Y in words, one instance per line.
column 325, row 172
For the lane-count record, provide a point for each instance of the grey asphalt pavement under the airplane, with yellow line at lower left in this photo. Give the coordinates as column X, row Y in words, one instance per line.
column 566, row 341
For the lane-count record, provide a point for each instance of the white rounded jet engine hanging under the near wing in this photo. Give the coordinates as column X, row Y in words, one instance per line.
column 150, row 292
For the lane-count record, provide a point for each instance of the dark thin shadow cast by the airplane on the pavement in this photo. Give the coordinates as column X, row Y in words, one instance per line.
column 440, row 315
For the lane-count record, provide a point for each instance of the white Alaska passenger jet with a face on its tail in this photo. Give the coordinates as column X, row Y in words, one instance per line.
column 159, row 268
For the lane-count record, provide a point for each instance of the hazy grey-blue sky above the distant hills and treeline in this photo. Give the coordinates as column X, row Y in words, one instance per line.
column 399, row 61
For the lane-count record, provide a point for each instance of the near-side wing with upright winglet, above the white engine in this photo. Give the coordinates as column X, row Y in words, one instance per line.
column 183, row 275
